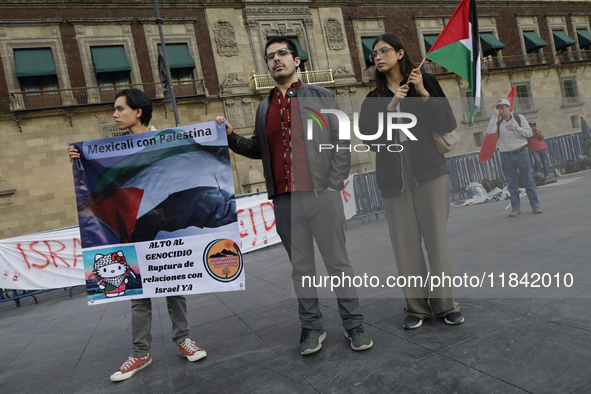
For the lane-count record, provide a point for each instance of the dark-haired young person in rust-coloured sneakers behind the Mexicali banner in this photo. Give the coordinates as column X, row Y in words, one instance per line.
column 133, row 111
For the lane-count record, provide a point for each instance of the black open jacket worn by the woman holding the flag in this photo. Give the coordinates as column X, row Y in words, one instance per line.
column 433, row 115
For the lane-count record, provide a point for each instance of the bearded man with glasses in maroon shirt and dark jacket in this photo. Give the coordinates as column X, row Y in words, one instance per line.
column 304, row 184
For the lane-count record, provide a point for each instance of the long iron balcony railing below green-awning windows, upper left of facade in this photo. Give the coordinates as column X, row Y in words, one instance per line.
column 44, row 99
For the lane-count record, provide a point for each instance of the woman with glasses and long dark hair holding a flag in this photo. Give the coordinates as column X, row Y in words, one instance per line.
column 412, row 176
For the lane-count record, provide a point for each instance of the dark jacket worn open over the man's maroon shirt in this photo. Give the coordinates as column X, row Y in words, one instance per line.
column 328, row 168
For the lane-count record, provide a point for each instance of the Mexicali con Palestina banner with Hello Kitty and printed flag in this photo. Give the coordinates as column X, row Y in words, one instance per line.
column 157, row 214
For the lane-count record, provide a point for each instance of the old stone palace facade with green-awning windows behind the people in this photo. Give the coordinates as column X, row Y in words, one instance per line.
column 41, row 115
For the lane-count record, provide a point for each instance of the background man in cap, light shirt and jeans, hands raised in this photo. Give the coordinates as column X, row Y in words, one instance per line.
column 513, row 133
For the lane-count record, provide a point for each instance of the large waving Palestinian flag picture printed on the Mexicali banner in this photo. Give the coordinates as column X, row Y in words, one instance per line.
column 156, row 193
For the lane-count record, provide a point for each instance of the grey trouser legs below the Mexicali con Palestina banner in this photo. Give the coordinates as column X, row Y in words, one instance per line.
column 141, row 323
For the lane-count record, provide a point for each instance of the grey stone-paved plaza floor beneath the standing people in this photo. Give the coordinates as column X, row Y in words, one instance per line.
column 513, row 341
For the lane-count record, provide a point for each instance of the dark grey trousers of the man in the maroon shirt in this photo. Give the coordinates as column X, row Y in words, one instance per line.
column 300, row 218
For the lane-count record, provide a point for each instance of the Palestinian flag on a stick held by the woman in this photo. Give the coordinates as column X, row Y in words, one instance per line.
column 457, row 49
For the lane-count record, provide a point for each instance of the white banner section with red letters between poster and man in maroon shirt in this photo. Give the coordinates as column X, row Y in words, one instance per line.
column 256, row 218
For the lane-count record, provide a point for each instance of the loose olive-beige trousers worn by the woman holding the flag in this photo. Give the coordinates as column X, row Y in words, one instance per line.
column 421, row 212
